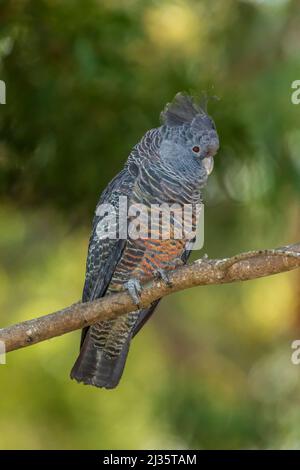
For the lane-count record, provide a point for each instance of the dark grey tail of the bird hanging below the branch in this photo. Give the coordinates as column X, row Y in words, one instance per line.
column 94, row 367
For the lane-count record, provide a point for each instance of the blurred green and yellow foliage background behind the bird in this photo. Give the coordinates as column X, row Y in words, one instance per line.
column 84, row 81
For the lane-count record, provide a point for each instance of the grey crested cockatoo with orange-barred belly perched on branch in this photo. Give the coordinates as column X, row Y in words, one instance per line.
column 170, row 164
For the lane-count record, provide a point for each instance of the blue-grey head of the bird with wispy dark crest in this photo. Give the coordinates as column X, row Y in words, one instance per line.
column 189, row 138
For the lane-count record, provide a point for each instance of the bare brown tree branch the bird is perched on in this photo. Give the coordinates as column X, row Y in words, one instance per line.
column 242, row 267
